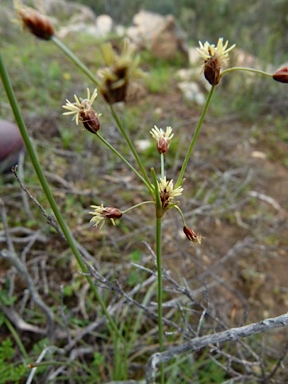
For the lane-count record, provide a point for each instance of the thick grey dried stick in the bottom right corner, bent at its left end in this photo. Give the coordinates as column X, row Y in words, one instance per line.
column 232, row 334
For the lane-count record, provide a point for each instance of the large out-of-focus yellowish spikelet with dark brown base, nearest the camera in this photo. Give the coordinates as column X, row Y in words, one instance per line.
column 119, row 72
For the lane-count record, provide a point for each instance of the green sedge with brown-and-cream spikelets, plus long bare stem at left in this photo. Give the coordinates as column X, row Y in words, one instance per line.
column 113, row 84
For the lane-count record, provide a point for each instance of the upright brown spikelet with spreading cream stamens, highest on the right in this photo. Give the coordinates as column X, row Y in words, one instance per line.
column 214, row 58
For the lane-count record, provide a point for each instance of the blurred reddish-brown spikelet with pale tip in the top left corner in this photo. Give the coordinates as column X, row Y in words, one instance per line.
column 32, row 20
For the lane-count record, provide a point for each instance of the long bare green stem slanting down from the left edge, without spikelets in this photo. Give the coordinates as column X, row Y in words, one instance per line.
column 30, row 149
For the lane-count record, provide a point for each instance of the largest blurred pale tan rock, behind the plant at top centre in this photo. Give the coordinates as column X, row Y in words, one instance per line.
column 159, row 34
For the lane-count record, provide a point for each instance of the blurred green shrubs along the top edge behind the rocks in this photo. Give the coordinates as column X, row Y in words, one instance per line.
column 259, row 26
